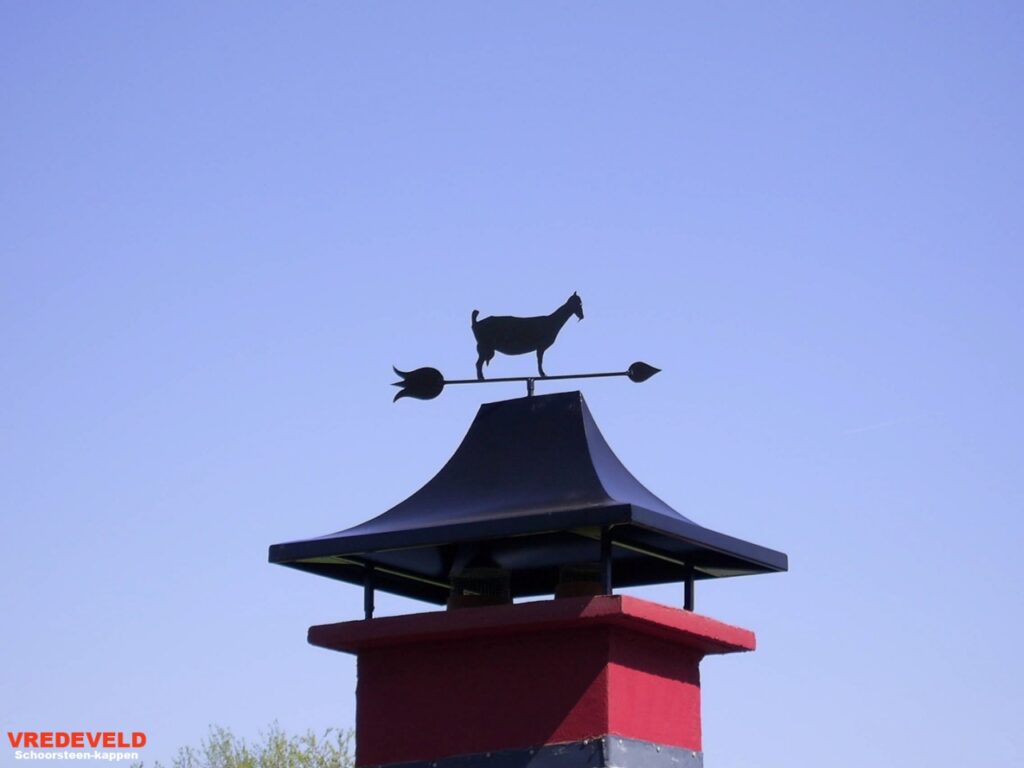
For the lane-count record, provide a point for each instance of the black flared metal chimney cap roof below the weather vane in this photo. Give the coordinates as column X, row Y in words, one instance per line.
column 531, row 488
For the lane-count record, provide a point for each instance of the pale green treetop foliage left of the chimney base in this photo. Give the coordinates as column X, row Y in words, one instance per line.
column 276, row 749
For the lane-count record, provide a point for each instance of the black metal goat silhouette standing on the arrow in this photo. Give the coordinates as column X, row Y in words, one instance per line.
column 522, row 335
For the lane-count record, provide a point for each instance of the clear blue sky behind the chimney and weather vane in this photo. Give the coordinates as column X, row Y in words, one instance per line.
column 221, row 227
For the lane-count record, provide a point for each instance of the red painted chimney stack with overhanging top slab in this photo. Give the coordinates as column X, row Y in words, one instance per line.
column 434, row 686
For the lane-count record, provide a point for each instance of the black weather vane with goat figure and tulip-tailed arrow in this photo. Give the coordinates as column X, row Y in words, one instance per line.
column 511, row 336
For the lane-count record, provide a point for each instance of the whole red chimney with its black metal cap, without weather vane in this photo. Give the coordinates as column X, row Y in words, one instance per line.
column 534, row 502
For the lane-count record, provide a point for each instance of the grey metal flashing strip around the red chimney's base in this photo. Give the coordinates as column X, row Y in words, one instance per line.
column 606, row 752
